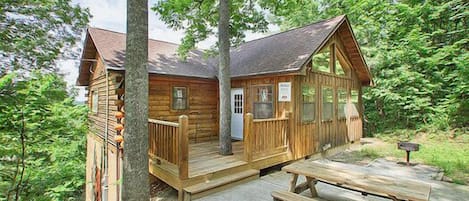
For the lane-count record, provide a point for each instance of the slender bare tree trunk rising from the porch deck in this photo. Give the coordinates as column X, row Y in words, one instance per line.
column 224, row 77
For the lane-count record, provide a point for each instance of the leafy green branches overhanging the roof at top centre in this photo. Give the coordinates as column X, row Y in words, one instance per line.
column 199, row 20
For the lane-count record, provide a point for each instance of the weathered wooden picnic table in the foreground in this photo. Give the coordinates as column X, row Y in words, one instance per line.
column 384, row 186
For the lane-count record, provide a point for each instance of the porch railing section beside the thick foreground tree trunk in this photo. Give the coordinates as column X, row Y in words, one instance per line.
column 169, row 141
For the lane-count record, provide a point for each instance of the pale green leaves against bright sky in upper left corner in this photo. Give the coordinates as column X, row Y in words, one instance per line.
column 33, row 33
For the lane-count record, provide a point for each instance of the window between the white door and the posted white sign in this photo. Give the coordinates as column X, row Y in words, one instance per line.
column 263, row 102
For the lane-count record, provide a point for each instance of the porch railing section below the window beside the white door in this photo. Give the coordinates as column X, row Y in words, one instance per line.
column 265, row 137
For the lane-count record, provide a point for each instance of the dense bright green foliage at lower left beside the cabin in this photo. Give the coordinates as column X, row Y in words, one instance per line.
column 42, row 139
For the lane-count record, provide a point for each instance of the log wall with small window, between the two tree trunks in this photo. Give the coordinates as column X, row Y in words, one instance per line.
column 202, row 107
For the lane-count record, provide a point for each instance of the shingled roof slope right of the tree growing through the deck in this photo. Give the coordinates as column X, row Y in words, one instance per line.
column 283, row 52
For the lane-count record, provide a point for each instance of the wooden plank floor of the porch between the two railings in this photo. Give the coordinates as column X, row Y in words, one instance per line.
column 204, row 158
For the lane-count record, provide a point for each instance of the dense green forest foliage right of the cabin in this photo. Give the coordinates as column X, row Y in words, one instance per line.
column 417, row 51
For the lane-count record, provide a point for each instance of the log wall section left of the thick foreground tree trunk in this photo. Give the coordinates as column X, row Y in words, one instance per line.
column 97, row 85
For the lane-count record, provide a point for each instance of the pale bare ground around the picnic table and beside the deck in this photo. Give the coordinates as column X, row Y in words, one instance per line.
column 261, row 188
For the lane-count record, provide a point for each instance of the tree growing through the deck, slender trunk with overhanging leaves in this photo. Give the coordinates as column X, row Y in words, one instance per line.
column 199, row 20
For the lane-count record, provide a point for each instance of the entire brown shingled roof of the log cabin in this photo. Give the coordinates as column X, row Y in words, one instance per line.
column 284, row 52
